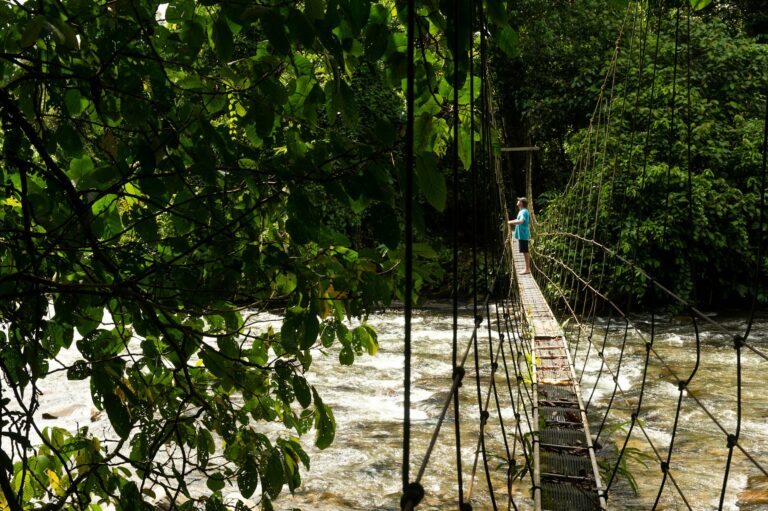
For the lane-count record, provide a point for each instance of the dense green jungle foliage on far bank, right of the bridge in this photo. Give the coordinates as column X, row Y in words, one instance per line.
column 674, row 147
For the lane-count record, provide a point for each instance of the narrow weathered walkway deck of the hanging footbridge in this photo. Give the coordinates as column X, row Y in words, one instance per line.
column 566, row 475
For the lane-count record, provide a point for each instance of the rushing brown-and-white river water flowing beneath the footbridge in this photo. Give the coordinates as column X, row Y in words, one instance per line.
column 362, row 470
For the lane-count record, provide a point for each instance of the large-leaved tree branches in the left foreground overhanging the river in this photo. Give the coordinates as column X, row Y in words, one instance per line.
column 167, row 171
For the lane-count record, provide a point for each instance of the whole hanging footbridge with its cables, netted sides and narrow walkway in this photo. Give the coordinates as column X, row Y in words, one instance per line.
column 577, row 429
